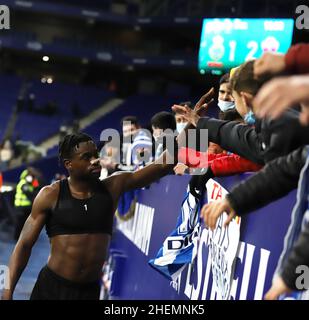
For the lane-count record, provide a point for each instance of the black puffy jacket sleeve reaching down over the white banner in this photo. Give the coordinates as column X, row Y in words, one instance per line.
column 280, row 176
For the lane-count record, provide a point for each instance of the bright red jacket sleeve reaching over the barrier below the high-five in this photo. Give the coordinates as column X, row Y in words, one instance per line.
column 221, row 164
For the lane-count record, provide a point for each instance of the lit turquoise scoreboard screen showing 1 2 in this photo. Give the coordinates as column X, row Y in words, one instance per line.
column 227, row 43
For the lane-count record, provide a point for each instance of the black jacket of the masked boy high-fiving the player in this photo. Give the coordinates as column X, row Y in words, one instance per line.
column 266, row 141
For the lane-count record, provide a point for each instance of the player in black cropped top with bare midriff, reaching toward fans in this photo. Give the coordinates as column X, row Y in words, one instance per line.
column 78, row 213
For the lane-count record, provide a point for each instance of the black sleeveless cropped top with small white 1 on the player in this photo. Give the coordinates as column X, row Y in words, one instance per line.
column 78, row 216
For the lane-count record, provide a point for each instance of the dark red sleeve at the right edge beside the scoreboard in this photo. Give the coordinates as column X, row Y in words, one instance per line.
column 296, row 59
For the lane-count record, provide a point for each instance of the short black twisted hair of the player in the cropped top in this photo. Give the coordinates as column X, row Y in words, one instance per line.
column 69, row 142
